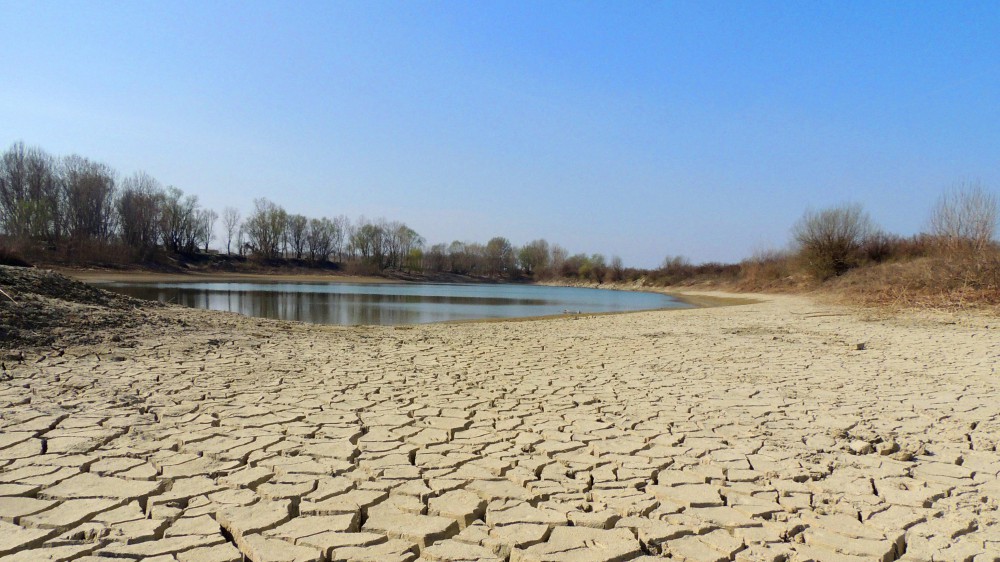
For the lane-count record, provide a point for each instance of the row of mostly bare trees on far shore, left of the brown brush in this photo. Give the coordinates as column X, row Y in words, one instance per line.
column 75, row 210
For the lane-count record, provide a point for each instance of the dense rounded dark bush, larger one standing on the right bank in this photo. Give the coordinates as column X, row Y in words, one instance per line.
column 830, row 240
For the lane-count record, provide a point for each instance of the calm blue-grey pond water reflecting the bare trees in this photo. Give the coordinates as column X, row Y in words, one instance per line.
column 396, row 303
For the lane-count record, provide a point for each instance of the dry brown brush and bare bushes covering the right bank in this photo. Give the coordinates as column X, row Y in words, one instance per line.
column 841, row 251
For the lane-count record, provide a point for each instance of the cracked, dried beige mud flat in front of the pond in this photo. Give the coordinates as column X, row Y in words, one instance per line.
column 755, row 432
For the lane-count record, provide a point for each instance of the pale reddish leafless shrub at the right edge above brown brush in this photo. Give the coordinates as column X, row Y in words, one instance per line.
column 965, row 218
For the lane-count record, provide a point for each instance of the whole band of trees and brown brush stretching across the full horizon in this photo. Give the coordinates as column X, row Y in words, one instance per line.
column 74, row 210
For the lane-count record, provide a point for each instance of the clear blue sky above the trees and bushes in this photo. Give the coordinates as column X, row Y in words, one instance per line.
column 642, row 129
